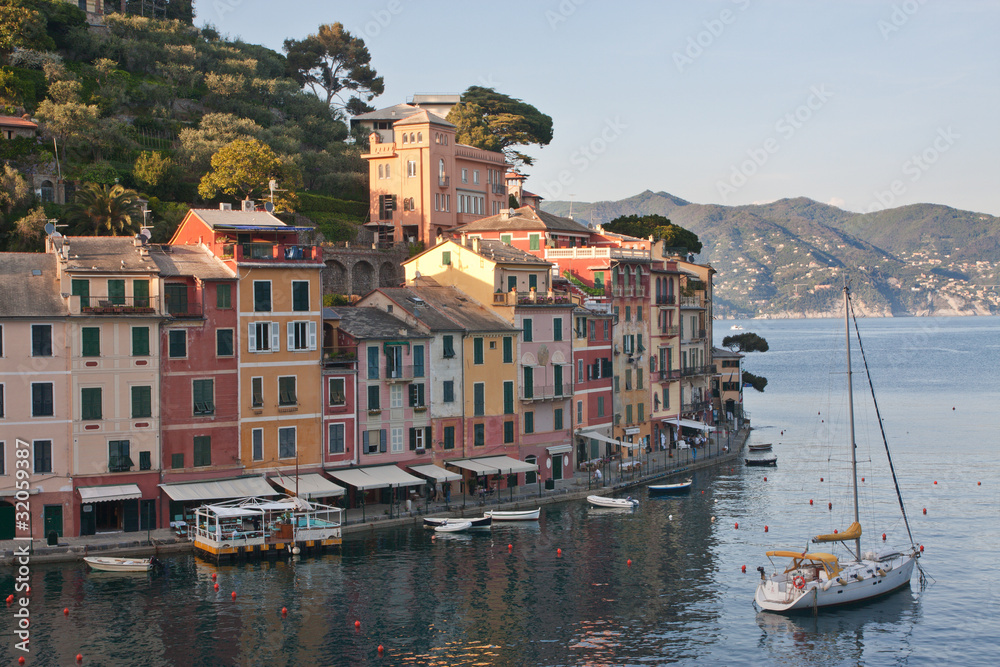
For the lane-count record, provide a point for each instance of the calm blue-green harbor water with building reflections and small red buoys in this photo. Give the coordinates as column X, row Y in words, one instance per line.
column 471, row 600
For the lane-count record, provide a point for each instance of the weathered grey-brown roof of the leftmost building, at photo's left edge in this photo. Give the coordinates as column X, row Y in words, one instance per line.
column 24, row 294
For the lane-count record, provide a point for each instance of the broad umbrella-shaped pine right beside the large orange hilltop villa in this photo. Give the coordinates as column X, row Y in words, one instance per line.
column 496, row 122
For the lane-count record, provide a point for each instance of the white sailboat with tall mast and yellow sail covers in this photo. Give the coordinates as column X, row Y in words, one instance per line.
column 813, row 579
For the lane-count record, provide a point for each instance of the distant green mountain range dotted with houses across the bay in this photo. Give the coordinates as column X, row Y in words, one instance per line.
column 788, row 258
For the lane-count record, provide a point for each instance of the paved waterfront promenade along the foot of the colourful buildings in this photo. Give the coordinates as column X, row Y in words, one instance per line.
column 361, row 520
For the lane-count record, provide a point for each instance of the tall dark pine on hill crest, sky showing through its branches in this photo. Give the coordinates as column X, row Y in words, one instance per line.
column 333, row 63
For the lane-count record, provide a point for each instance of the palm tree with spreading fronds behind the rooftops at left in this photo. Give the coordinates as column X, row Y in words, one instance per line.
column 102, row 210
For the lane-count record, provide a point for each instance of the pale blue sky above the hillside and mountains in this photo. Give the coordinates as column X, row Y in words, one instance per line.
column 864, row 104
